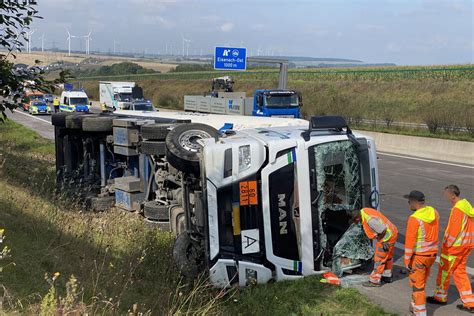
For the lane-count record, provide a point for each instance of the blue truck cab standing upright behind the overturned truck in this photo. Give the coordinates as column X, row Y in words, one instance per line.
column 277, row 103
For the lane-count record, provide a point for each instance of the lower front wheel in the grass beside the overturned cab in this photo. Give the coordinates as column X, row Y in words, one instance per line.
column 187, row 255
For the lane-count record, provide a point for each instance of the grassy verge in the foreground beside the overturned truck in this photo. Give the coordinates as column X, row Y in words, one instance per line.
column 113, row 262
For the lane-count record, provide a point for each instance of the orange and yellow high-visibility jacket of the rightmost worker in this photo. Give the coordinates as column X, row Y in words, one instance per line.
column 459, row 233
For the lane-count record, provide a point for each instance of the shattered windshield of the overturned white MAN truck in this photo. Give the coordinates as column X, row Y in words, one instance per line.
column 337, row 184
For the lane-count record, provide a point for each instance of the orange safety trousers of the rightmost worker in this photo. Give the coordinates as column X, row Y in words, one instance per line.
column 455, row 266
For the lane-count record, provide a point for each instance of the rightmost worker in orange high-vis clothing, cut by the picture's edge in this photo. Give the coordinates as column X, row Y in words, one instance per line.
column 458, row 243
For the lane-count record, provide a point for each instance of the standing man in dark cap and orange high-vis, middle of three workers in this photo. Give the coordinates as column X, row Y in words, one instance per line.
column 421, row 247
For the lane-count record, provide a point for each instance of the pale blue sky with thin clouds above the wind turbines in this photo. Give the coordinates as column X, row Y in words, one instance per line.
column 401, row 31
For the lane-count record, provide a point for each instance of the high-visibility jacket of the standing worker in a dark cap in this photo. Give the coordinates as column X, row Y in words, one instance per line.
column 422, row 233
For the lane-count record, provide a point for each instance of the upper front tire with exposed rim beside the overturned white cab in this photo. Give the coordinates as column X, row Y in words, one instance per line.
column 182, row 147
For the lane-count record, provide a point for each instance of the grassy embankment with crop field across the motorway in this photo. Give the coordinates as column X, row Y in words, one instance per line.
column 440, row 96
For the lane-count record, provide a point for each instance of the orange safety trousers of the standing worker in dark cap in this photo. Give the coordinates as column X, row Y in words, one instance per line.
column 420, row 271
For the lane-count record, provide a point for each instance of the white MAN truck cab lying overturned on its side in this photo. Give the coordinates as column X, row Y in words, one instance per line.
column 279, row 202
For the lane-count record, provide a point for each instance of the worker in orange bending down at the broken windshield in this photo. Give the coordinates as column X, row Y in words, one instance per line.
column 377, row 226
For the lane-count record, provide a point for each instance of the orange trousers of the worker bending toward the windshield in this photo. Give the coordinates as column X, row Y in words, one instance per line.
column 383, row 260
